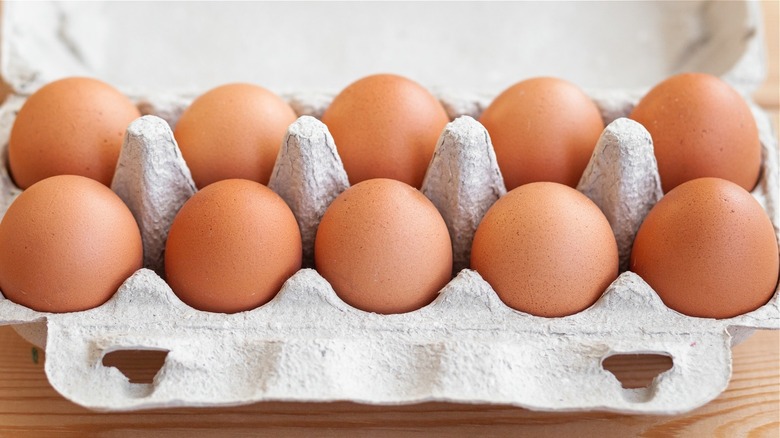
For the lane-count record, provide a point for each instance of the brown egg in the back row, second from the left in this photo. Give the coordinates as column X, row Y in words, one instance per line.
column 233, row 131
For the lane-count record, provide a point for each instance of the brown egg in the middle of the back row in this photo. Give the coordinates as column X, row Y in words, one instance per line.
column 385, row 126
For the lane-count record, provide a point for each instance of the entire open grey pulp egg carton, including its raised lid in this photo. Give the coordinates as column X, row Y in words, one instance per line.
column 307, row 344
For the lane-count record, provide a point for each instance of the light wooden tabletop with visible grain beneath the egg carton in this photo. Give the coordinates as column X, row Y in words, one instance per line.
column 29, row 407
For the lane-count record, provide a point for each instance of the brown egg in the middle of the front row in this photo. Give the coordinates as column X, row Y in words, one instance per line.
column 384, row 247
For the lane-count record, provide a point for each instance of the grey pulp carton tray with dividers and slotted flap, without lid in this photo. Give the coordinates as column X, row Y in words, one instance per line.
column 466, row 346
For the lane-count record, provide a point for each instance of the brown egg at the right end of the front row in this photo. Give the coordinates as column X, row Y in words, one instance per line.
column 708, row 249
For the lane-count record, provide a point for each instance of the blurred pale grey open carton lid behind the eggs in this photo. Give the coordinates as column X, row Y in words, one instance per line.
column 187, row 47
